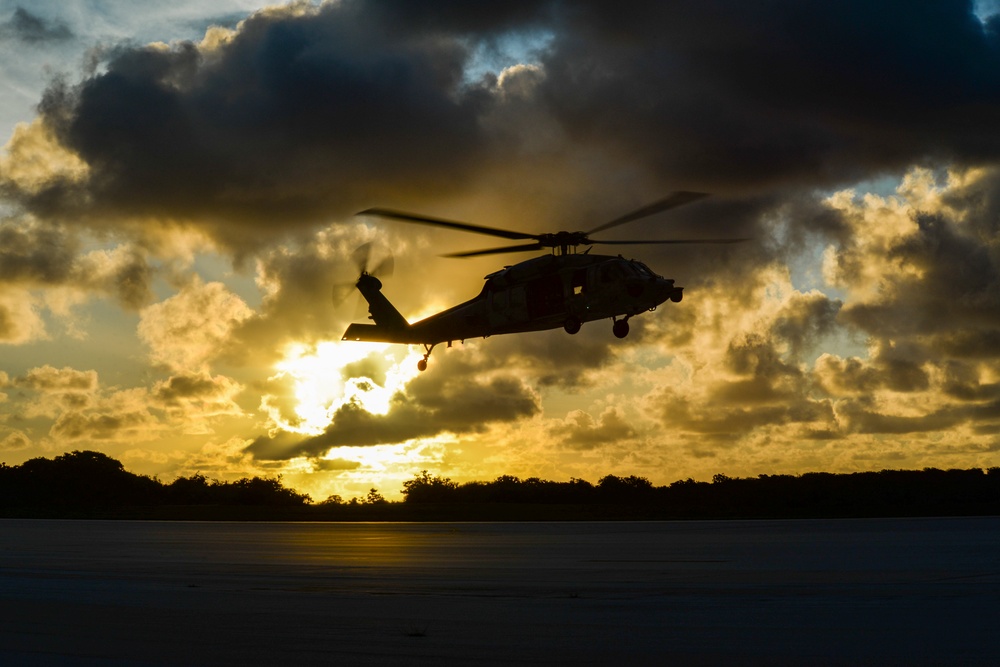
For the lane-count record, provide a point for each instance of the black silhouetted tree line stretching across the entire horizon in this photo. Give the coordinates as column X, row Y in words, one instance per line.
column 93, row 484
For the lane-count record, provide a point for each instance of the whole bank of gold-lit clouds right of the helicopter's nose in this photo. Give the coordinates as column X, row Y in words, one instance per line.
column 917, row 279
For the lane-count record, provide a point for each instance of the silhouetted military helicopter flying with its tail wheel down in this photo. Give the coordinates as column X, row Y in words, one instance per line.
column 564, row 288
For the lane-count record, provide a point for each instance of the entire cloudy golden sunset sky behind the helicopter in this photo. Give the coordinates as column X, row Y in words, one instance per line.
column 178, row 190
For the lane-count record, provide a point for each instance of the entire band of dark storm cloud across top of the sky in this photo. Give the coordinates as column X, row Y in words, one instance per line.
column 306, row 115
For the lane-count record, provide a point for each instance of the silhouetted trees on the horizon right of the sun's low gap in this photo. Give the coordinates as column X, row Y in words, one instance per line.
column 927, row 492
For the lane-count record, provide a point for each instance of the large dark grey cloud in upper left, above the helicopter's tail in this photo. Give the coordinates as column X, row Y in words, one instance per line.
column 297, row 117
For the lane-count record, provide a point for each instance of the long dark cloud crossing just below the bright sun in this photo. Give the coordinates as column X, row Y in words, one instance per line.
column 430, row 406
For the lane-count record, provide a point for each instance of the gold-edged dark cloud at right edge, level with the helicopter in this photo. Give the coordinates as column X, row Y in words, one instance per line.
column 922, row 271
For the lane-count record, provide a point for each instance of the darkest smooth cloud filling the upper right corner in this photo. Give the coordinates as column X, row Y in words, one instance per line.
column 735, row 93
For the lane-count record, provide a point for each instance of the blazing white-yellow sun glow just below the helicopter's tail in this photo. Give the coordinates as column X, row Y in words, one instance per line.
column 332, row 375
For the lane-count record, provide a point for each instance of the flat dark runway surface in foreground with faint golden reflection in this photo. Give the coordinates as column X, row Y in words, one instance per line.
column 825, row 592
